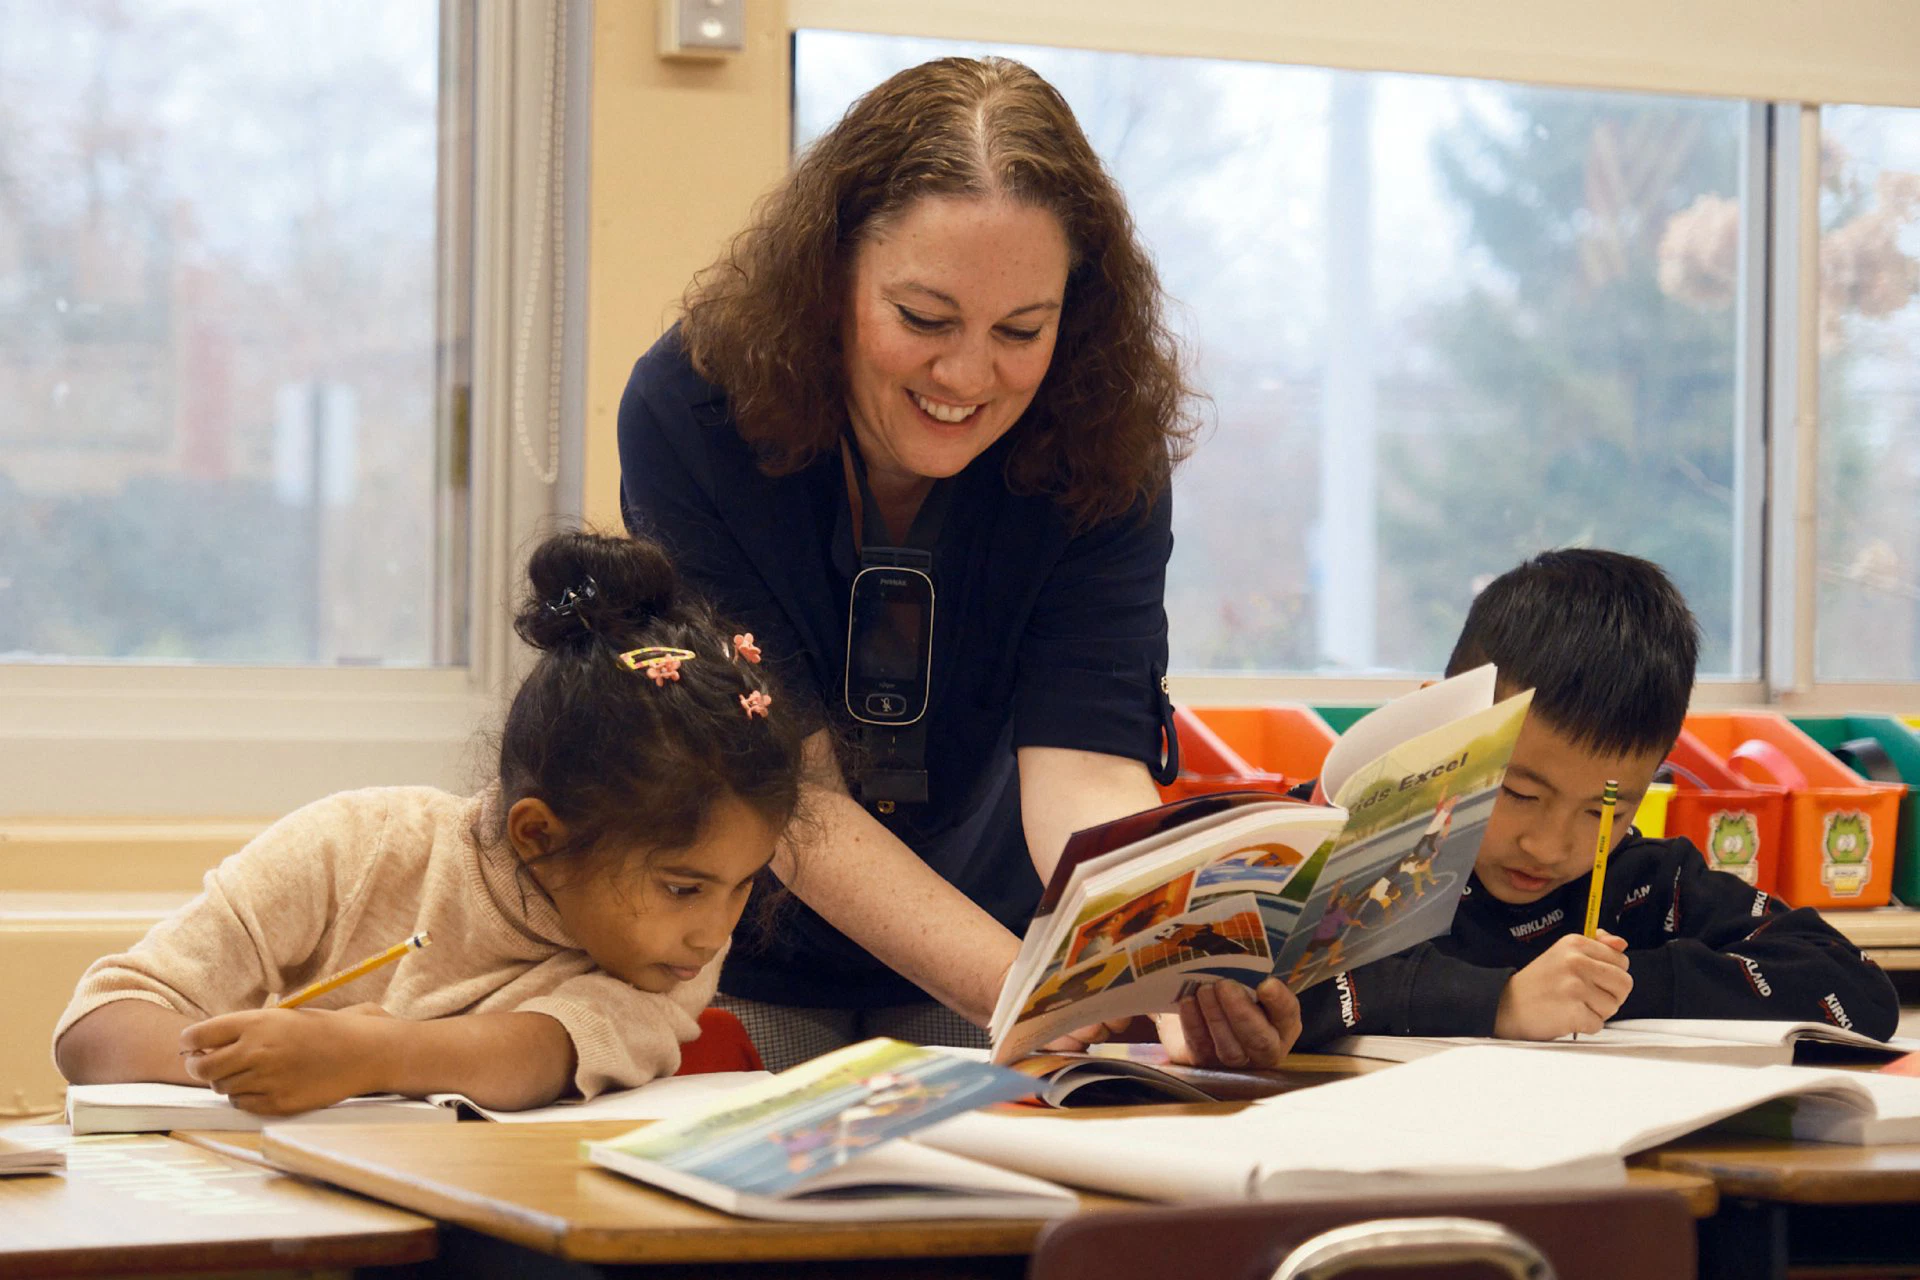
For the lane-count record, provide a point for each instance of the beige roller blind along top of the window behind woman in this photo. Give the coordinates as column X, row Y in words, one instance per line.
column 1796, row 51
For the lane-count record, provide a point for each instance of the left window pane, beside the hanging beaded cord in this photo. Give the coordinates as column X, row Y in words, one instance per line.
column 228, row 410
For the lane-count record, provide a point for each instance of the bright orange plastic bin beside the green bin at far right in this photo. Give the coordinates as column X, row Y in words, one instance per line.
column 1840, row 828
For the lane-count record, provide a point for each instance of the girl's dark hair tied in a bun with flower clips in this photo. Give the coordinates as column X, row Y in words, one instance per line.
column 612, row 751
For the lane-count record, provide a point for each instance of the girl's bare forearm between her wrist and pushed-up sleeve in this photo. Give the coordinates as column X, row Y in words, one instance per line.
column 508, row 1062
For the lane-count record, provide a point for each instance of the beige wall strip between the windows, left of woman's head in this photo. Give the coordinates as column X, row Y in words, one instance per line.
column 679, row 154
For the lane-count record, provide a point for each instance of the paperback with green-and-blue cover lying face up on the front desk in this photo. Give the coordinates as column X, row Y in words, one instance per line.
column 817, row 1143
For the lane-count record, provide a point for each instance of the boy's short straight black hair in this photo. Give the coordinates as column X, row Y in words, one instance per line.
column 1604, row 640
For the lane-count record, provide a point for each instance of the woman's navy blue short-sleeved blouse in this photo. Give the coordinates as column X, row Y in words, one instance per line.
column 1042, row 638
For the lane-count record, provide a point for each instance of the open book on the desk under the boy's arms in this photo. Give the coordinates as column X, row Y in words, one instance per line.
column 1735, row 1043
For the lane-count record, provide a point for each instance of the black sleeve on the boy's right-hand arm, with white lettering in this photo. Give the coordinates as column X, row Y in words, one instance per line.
column 1731, row 951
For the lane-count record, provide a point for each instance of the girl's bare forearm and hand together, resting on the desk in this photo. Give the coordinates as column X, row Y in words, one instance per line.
column 277, row 1062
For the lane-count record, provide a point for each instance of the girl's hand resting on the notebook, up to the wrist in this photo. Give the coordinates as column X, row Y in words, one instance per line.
column 279, row 1062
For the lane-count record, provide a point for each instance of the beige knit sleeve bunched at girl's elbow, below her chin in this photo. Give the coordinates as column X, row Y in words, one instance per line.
column 625, row 1037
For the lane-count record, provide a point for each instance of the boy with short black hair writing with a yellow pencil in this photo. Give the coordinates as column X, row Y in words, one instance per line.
column 1608, row 646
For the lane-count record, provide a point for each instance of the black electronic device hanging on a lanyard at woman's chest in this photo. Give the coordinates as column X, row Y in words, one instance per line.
column 890, row 644
